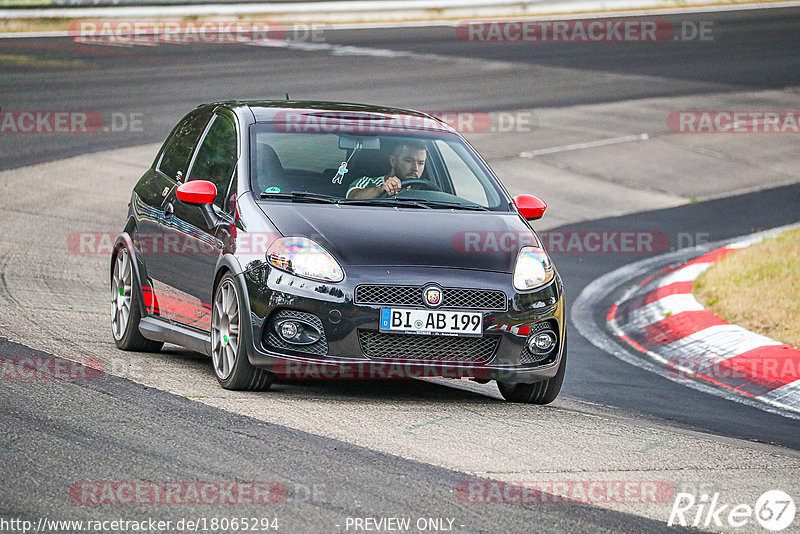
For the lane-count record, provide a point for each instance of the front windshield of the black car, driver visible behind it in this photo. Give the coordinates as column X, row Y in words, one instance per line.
column 432, row 169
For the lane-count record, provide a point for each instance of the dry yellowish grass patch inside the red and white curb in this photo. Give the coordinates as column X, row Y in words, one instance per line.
column 758, row 288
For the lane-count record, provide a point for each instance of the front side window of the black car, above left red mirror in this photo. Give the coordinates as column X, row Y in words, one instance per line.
column 216, row 158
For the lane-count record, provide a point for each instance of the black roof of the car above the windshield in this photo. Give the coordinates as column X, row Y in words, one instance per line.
column 274, row 111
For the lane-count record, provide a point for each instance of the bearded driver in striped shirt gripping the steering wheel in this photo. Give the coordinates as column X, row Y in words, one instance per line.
column 407, row 163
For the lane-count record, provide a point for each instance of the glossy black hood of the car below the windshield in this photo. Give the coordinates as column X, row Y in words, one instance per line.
column 385, row 236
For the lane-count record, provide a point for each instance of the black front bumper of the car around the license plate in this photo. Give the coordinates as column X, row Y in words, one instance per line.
column 347, row 325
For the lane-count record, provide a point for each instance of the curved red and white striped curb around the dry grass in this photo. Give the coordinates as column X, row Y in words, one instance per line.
column 681, row 340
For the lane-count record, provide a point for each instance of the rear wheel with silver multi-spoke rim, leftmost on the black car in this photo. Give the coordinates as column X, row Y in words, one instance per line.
column 126, row 308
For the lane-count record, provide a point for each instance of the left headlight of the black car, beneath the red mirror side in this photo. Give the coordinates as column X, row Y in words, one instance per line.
column 305, row 258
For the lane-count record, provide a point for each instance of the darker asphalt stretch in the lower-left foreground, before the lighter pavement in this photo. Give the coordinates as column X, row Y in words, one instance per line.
column 114, row 428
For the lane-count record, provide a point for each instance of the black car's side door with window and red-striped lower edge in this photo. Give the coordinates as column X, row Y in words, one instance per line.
column 192, row 247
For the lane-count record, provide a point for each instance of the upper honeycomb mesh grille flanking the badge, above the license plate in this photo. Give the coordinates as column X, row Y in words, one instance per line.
column 452, row 297
